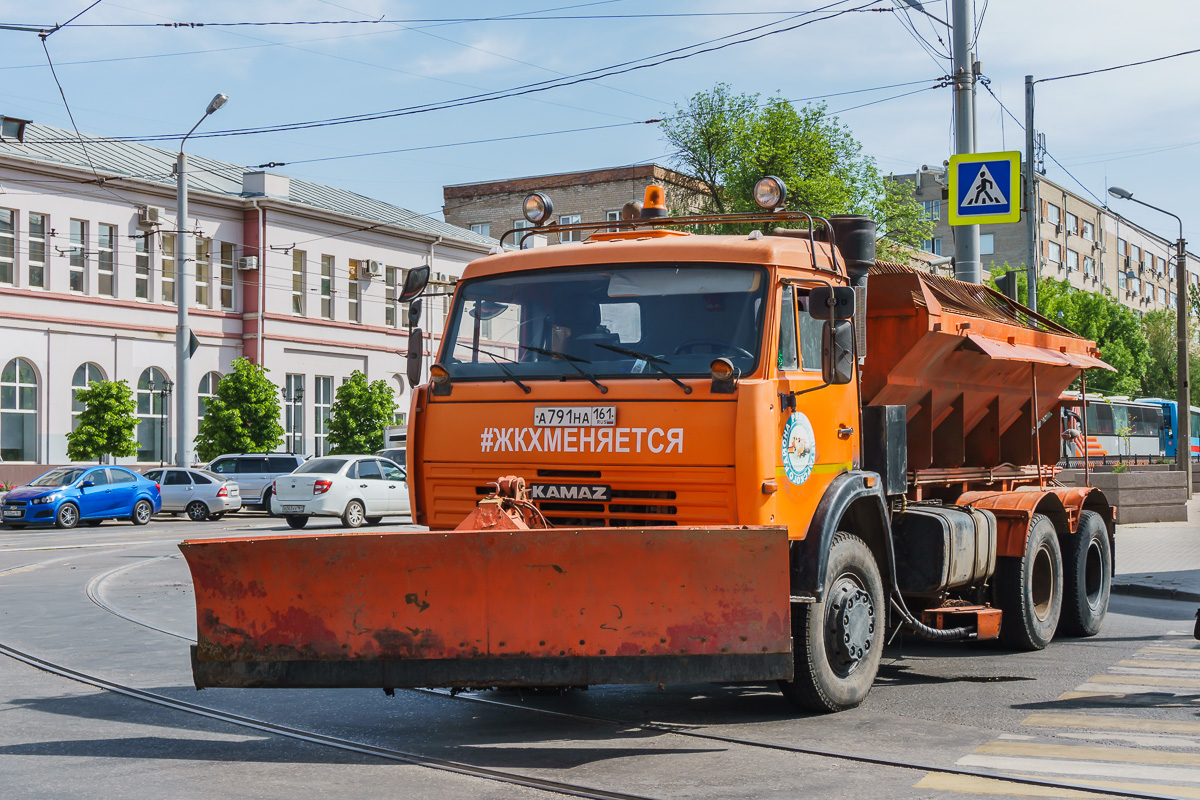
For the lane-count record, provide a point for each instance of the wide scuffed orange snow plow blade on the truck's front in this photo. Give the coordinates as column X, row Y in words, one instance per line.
column 544, row 607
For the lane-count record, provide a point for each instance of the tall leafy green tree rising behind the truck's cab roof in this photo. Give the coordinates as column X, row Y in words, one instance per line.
column 727, row 142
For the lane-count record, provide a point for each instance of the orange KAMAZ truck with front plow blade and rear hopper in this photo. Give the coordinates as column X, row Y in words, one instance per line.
column 664, row 456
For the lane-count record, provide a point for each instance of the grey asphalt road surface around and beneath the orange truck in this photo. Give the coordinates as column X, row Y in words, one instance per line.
column 115, row 604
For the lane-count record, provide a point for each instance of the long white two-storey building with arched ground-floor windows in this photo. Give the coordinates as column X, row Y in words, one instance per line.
column 88, row 286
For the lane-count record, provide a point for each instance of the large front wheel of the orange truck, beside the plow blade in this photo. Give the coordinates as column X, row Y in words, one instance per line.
column 838, row 642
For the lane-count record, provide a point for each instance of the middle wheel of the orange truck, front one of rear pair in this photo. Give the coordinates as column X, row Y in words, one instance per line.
column 1029, row 591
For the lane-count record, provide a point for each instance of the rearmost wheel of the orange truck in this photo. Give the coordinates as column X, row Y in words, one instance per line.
column 1088, row 576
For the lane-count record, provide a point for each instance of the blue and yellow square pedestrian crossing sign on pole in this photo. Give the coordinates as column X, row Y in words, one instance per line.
column 986, row 188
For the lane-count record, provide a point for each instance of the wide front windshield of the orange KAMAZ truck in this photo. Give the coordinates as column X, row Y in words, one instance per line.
column 608, row 322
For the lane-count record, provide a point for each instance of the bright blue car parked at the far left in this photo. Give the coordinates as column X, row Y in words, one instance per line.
column 67, row 496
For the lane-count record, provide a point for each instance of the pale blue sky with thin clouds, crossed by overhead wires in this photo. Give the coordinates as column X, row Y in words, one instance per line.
column 1137, row 128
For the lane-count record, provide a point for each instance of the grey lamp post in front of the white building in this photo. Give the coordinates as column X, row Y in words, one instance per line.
column 183, row 298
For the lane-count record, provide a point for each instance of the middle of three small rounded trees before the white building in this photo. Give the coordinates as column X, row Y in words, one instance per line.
column 244, row 417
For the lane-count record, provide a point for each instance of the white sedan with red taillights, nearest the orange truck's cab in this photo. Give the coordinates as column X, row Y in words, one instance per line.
column 357, row 489
